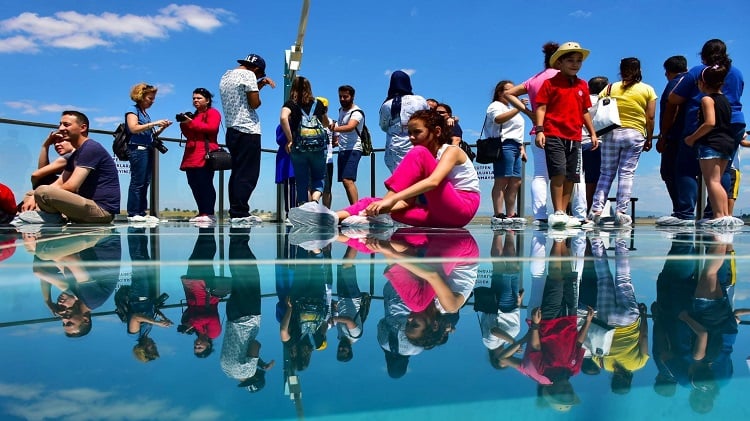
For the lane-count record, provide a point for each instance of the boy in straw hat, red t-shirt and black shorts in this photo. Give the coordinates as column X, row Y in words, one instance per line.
column 562, row 108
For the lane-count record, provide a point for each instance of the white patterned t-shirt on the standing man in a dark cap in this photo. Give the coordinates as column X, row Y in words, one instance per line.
column 233, row 88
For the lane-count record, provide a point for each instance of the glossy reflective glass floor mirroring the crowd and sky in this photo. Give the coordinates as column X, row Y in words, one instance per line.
column 263, row 323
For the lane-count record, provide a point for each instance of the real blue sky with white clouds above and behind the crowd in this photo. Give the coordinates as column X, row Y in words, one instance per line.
column 86, row 55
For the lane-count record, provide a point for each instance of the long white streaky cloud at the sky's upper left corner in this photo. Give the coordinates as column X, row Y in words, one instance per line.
column 74, row 30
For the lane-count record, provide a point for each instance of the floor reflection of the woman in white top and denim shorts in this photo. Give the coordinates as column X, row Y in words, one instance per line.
column 499, row 304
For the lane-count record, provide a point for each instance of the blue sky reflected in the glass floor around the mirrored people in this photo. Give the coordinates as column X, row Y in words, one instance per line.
column 47, row 376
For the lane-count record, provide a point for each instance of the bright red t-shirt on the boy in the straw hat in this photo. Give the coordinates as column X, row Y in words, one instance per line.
column 566, row 102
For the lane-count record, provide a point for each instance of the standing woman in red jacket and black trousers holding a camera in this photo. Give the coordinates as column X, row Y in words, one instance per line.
column 200, row 129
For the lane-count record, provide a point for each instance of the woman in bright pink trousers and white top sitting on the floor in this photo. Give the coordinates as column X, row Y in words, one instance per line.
column 435, row 185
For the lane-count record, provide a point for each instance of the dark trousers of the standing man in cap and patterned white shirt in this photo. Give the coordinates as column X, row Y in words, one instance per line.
column 245, row 150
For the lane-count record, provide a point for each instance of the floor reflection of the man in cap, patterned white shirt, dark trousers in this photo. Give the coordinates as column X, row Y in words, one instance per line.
column 240, row 351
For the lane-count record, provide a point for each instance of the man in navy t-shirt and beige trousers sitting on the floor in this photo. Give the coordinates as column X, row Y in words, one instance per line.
column 88, row 190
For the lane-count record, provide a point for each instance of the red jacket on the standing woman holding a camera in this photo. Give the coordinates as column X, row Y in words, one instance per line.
column 204, row 124
